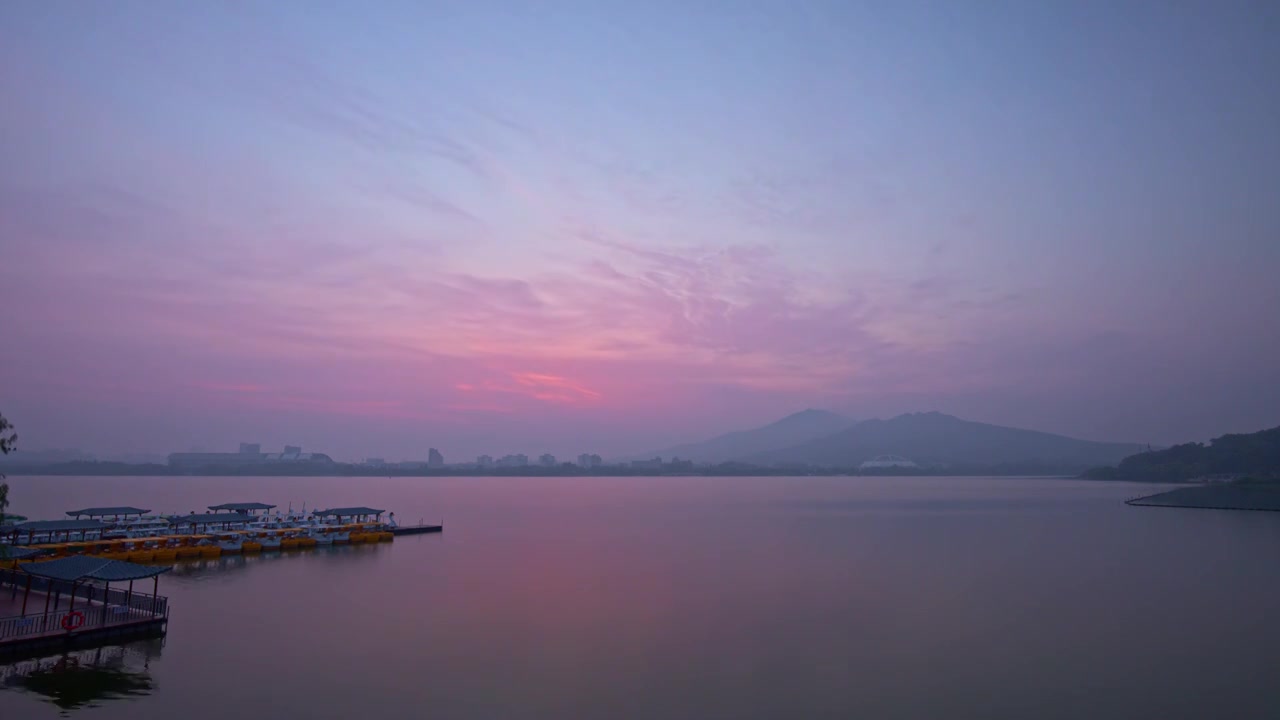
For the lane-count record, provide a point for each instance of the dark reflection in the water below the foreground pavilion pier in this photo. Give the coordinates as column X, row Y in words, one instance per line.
column 86, row 678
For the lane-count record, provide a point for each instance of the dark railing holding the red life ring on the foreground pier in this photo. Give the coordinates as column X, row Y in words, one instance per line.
column 111, row 608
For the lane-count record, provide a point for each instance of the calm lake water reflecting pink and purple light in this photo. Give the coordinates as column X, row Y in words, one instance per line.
column 698, row 598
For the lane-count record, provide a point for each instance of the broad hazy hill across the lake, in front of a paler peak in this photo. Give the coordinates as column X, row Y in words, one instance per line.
column 934, row 439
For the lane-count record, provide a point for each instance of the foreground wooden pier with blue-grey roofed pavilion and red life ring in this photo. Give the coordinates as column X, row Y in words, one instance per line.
column 70, row 603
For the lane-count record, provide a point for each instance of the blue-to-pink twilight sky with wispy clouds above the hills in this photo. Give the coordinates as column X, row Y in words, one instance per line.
column 372, row 229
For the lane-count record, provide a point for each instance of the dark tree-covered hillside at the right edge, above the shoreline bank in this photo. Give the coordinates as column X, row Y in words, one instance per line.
column 1255, row 455
